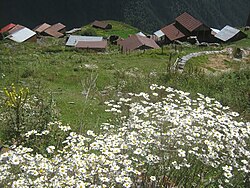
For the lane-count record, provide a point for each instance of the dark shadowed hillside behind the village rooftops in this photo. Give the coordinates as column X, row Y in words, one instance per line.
column 148, row 15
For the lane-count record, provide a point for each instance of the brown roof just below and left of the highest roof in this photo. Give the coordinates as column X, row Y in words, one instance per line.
column 172, row 33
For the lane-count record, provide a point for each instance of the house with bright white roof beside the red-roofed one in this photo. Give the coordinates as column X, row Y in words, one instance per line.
column 23, row 35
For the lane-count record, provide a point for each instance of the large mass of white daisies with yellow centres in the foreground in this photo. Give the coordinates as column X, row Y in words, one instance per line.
column 161, row 138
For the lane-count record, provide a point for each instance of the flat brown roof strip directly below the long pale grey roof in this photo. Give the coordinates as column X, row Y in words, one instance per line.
column 92, row 44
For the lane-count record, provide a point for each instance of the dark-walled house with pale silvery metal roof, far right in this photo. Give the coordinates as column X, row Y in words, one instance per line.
column 230, row 34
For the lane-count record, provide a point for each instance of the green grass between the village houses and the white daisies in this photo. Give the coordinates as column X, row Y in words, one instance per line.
column 56, row 70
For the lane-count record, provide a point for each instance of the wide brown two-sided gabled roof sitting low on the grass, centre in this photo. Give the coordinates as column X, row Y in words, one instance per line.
column 135, row 41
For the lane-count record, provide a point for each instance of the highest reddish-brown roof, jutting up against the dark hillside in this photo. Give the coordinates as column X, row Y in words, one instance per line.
column 188, row 21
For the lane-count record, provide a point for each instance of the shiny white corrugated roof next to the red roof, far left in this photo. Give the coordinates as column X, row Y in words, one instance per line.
column 22, row 35
